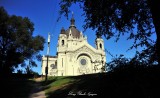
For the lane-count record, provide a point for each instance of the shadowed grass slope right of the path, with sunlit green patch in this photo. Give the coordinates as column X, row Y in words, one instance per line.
column 130, row 83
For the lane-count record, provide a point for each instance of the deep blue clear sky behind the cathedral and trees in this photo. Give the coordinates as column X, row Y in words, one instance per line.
column 44, row 15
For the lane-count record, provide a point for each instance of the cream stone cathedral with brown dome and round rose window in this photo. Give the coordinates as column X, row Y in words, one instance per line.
column 75, row 56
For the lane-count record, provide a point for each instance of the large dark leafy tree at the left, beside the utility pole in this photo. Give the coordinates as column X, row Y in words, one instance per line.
column 17, row 43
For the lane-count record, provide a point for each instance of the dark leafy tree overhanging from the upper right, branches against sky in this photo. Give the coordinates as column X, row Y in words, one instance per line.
column 139, row 18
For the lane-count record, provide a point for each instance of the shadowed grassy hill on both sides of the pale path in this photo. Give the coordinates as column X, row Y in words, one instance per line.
column 120, row 83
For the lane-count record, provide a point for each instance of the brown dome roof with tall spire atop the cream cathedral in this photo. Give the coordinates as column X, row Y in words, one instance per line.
column 72, row 29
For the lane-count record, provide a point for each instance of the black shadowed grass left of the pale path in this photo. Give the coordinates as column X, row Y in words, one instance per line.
column 16, row 88
